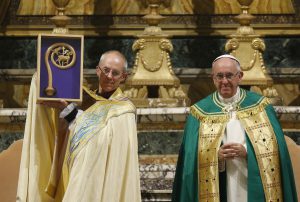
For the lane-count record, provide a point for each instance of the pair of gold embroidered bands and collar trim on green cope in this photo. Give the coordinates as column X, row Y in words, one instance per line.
column 261, row 135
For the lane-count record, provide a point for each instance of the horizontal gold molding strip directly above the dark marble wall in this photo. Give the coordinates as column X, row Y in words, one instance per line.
column 265, row 29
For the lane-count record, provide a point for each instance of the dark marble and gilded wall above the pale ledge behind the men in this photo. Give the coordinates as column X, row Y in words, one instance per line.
column 197, row 39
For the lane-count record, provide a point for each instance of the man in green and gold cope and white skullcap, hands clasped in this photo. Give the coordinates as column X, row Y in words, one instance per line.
column 233, row 147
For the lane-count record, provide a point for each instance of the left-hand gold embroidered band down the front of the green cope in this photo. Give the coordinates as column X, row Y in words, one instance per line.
column 210, row 136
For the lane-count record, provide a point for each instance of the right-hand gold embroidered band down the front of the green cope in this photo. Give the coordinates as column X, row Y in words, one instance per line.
column 263, row 140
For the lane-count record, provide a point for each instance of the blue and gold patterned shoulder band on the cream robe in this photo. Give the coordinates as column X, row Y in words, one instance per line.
column 95, row 118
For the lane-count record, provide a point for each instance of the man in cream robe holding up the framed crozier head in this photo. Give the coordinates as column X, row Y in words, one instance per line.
column 98, row 159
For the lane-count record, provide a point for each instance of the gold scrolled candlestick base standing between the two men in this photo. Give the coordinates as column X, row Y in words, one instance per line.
column 152, row 82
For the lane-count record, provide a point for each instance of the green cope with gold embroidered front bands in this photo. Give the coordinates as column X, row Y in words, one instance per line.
column 270, row 174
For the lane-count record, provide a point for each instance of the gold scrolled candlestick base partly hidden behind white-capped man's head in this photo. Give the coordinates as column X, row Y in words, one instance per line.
column 249, row 48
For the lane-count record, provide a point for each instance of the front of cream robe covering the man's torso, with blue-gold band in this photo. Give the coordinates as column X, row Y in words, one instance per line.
column 102, row 153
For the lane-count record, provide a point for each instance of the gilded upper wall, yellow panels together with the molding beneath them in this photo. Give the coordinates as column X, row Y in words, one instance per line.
column 123, row 17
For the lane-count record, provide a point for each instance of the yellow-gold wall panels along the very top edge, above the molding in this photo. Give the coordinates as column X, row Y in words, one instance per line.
column 136, row 7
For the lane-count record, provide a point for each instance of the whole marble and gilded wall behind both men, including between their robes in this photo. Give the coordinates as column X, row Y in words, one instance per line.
column 198, row 30
